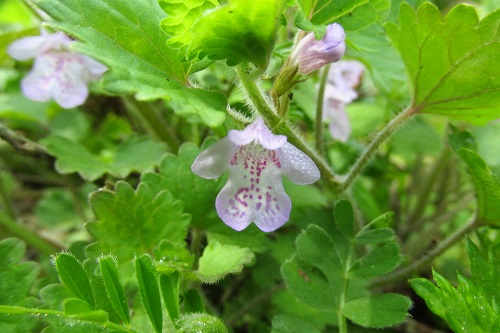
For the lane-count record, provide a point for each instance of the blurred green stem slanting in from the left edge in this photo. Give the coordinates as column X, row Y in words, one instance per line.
column 31, row 238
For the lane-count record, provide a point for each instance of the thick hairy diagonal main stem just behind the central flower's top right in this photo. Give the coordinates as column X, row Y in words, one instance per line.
column 279, row 125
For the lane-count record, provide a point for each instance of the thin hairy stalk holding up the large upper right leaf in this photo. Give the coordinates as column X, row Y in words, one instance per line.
column 373, row 146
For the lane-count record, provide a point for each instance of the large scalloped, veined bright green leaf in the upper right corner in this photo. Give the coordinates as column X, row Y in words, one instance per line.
column 452, row 63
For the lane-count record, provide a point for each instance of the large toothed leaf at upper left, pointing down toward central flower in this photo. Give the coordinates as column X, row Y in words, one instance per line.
column 131, row 43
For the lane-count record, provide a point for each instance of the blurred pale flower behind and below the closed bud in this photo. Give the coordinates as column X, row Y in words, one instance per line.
column 343, row 78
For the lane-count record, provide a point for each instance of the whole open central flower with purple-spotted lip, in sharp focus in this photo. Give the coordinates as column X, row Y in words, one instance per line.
column 256, row 160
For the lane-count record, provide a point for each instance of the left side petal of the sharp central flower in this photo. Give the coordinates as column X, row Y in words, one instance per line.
column 213, row 161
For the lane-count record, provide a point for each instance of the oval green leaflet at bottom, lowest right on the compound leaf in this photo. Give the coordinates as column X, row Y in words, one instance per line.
column 378, row 311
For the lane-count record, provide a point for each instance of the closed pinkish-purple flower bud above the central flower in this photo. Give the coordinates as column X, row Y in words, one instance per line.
column 311, row 54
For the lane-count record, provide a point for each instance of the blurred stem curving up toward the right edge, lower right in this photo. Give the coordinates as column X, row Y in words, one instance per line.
column 427, row 258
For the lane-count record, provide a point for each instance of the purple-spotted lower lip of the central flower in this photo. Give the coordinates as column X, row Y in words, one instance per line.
column 254, row 191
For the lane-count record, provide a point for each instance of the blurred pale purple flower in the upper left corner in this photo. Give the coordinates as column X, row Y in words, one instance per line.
column 57, row 73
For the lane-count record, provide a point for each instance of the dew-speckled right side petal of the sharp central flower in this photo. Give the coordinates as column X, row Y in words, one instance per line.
column 297, row 166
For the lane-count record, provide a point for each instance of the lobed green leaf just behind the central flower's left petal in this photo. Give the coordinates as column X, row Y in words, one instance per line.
column 197, row 194
